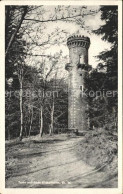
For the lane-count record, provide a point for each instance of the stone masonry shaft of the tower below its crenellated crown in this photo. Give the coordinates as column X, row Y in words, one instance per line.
column 77, row 104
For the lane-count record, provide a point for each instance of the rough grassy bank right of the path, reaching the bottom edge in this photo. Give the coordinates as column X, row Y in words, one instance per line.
column 99, row 149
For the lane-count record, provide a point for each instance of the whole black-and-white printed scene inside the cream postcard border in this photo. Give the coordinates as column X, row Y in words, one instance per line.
column 61, row 95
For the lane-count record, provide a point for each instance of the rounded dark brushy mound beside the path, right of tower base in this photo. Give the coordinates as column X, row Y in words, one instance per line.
column 98, row 147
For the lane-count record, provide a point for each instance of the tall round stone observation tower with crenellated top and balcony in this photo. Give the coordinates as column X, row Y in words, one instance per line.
column 78, row 70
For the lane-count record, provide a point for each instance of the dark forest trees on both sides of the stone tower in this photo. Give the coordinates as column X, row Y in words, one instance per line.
column 29, row 110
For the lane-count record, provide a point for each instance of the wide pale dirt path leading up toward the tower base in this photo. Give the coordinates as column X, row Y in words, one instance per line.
column 55, row 165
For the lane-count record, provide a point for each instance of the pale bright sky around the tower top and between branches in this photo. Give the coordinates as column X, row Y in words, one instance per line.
column 70, row 28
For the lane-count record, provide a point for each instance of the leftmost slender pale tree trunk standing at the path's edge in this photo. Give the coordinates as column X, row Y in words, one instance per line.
column 21, row 110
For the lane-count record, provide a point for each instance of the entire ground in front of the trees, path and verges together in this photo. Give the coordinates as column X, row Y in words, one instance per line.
column 55, row 162
